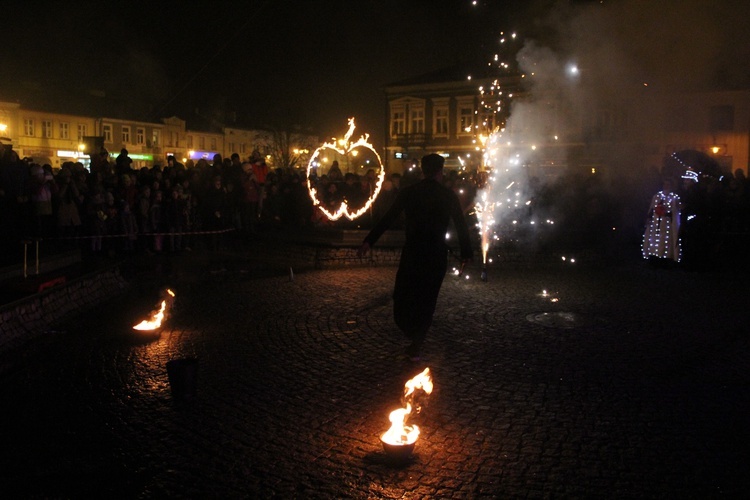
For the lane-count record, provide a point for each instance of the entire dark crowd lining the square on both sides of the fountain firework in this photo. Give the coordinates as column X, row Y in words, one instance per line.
column 109, row 208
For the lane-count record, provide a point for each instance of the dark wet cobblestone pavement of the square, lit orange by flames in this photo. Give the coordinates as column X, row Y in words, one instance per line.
column 618, row 382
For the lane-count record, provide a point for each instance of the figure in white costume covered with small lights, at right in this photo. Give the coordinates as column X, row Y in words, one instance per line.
column 661, row 238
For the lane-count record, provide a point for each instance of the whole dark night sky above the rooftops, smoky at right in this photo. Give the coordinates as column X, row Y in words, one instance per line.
column 316, row 63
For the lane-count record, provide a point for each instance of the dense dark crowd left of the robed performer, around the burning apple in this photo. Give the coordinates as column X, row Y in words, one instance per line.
column 110, row 208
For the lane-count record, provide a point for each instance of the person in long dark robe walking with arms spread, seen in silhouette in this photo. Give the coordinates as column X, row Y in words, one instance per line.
column 429, row 207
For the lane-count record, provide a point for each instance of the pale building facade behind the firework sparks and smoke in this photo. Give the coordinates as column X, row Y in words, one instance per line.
column 444, row 113
